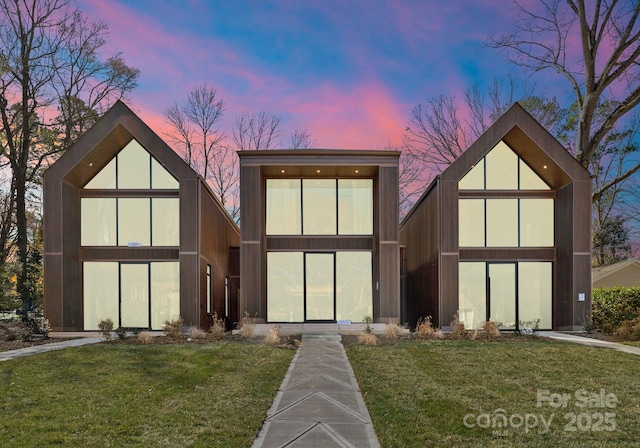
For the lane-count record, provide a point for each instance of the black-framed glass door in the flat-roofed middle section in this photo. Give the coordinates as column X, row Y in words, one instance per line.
column 320, row 287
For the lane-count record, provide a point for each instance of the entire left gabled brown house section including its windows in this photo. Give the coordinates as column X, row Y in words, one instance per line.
column 132, row 233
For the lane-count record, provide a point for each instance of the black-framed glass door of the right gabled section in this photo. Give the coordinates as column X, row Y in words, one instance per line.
column 502, row 288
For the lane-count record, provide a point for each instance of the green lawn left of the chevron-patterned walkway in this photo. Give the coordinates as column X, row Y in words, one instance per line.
column 205, row 395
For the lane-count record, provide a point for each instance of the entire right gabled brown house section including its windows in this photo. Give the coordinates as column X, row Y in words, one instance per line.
column 503, row 234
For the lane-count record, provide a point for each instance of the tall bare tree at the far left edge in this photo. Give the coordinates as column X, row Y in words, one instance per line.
column 37, row 39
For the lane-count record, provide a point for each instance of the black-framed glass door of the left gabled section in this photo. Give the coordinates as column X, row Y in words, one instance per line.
column 134, row 295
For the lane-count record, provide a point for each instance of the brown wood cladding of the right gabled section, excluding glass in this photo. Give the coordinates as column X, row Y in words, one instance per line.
column 432, row 261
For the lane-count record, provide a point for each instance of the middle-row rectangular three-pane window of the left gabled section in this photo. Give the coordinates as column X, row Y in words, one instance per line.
column 130, row 221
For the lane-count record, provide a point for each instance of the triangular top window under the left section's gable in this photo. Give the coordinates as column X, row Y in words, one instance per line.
column 133, row 168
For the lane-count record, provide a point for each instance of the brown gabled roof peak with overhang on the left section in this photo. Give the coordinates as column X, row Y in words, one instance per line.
column 100, row 144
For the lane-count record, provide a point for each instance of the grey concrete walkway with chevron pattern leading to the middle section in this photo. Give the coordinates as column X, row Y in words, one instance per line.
column 319, row 403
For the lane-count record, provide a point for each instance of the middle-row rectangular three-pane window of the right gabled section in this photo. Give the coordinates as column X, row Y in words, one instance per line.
column 505, row 222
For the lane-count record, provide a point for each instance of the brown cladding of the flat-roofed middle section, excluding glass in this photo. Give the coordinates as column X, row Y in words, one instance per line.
column 256, row 167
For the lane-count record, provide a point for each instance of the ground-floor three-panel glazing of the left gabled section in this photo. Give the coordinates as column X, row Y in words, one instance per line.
column 142, row 295
